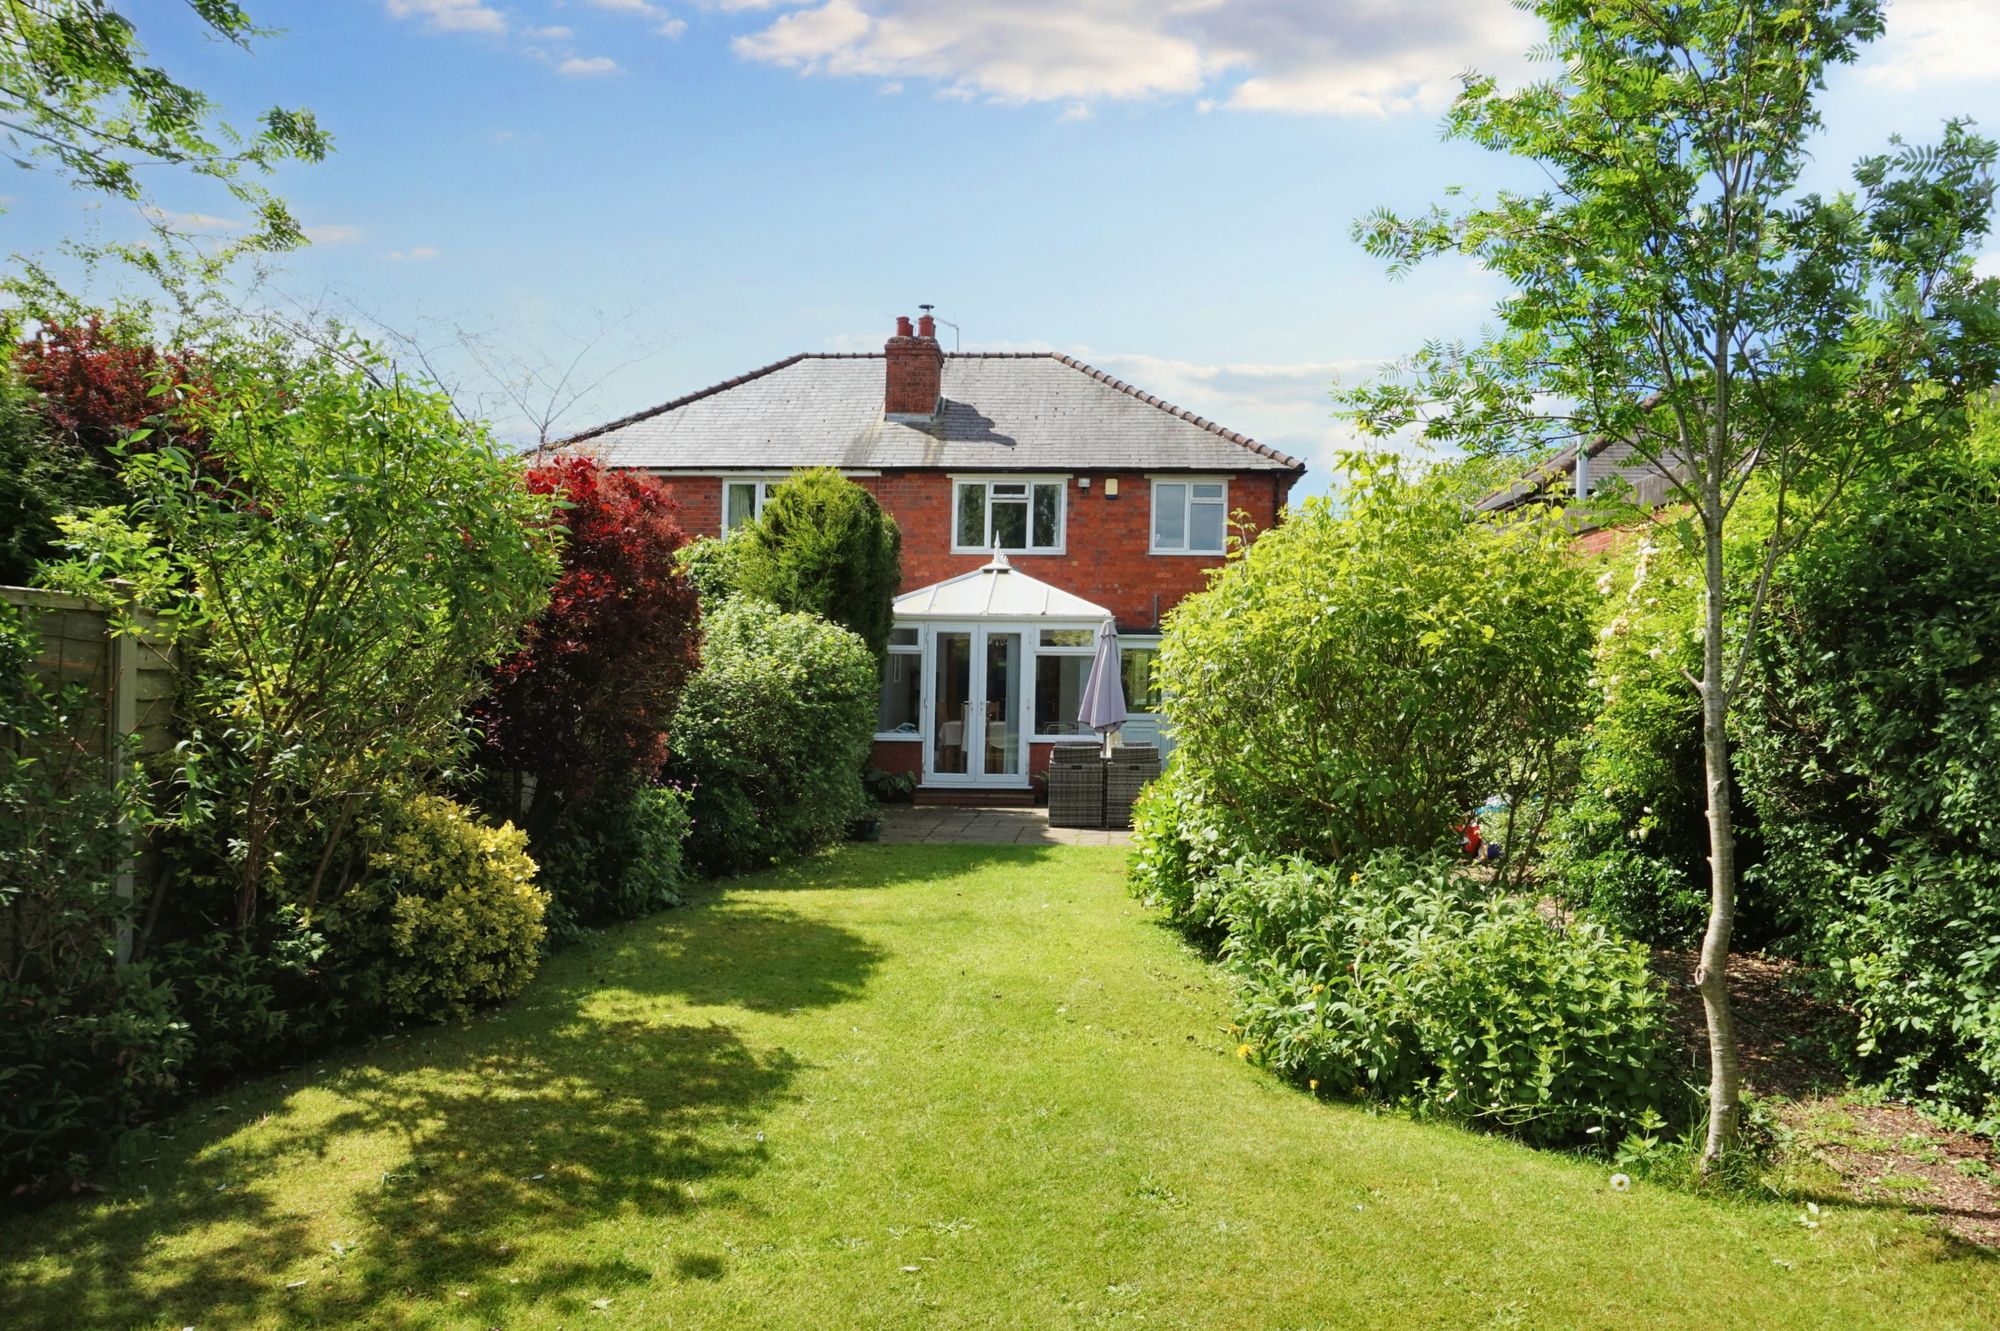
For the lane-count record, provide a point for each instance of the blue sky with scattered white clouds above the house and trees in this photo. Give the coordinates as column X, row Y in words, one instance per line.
column 1163, row 189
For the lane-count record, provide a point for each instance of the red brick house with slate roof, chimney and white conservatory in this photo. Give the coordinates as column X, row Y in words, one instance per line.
column 1041, row 503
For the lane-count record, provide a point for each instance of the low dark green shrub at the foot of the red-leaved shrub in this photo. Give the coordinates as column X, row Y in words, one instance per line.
column 617, row 858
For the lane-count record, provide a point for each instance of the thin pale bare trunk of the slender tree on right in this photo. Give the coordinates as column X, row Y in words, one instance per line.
column 1713, row 972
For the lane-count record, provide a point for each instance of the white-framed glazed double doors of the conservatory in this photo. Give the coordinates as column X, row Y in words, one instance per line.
column 975, row 700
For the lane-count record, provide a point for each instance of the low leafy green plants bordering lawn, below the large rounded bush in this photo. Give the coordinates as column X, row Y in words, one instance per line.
column 1411, row 984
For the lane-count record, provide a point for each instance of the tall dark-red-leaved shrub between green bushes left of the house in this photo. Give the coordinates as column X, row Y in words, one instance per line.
column 587, row 702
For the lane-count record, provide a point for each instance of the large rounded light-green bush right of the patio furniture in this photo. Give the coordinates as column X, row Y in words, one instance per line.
column 1367, row 674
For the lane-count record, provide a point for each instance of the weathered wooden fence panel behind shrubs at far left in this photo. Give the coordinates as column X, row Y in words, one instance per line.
column 127, row 682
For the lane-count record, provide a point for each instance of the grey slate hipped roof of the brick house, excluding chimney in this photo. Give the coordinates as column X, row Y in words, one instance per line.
column 1003, row 413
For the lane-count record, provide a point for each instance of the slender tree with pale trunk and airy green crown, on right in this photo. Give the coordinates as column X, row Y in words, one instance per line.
column 1677, row 289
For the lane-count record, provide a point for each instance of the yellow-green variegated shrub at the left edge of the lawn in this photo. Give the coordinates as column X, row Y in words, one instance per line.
column 447, row 908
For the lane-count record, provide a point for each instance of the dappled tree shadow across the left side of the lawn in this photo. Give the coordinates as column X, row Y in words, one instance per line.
column 459, row 1160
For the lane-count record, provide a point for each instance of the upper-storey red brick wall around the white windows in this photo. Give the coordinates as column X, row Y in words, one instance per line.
column 1105, row 551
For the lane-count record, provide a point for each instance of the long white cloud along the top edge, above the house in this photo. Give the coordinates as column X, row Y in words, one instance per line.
column 1309, row 57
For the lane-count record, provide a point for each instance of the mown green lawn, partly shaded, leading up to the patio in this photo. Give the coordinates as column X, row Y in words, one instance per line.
column 907, row 1088
